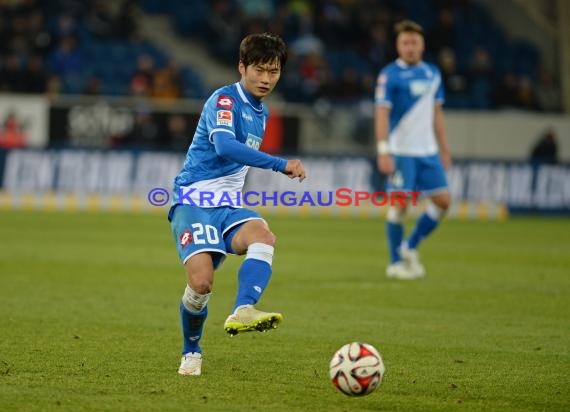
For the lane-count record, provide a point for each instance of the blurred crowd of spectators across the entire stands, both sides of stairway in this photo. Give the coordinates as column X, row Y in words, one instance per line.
column 337, row 48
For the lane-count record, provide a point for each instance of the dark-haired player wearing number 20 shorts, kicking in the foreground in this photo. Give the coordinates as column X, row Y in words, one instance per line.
column 226, row 143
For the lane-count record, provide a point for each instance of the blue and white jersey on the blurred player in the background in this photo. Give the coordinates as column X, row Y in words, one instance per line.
column 411, row 92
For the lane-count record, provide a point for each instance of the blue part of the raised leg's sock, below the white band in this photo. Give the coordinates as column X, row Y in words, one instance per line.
column 253, row 277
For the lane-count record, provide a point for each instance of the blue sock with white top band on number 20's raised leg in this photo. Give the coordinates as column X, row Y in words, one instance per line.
column 254, row 274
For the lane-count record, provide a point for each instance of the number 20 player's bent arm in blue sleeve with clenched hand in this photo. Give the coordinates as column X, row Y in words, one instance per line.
column 229, row 148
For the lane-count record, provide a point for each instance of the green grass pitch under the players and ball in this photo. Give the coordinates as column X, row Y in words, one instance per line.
column 89, row 318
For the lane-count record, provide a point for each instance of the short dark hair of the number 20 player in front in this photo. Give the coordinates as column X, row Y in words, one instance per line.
column 262, row 48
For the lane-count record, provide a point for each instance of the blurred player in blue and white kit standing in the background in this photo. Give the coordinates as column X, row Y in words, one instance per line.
column 412, row 145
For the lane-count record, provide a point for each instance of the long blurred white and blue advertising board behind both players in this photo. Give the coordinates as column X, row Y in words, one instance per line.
column 522, row 187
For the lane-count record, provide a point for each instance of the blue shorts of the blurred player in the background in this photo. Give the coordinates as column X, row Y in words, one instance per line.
column 418, row 173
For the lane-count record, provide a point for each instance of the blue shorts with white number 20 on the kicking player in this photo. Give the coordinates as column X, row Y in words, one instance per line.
column 197, row 229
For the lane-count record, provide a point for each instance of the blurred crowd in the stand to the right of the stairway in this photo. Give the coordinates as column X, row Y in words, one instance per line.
column 338, row 46
